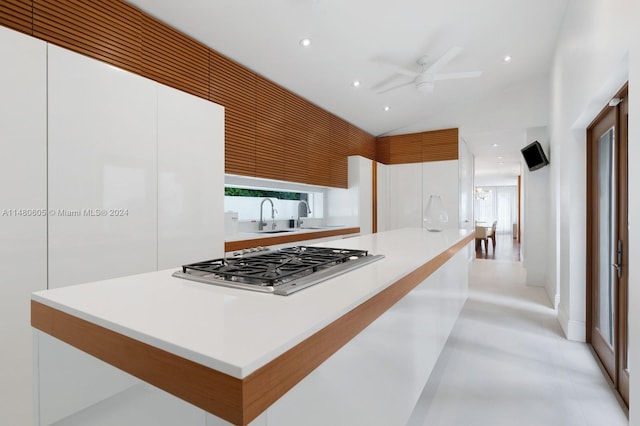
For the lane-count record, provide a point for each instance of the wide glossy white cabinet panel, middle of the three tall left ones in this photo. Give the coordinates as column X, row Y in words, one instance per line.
column 102, row 171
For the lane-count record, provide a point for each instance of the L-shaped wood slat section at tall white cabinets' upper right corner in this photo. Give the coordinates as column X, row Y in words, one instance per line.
column 234, row 86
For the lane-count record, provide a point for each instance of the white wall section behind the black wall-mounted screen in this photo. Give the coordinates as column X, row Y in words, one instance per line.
column 535, row 218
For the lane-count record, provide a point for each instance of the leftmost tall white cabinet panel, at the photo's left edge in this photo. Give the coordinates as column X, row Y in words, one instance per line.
column 23, row 221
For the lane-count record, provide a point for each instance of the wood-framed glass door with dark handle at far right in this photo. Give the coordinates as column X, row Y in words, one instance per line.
column 607, row 240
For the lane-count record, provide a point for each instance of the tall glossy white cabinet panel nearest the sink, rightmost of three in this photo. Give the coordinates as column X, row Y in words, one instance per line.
column 190, row 179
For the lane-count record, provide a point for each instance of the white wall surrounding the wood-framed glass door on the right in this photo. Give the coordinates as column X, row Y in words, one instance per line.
column 598, row 50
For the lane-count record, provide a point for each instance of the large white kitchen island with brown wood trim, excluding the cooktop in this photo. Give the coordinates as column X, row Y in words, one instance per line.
column 155, row 349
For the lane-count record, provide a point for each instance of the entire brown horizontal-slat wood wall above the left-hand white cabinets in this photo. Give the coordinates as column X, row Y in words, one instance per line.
column 269, row 131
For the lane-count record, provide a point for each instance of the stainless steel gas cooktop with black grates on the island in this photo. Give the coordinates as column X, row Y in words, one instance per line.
column 282, row 272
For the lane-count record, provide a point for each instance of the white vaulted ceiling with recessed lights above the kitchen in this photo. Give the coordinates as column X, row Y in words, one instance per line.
column 377, row 43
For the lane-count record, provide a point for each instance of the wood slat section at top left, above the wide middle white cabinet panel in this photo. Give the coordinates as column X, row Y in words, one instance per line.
column 108, row 31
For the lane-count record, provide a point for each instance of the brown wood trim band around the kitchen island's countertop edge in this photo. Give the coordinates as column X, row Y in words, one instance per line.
column 238, row 401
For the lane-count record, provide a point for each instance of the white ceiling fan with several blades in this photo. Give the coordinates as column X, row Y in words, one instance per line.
column 424, row 80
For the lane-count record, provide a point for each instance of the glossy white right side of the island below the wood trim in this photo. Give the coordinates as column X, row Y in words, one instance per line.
column 378, row 377
